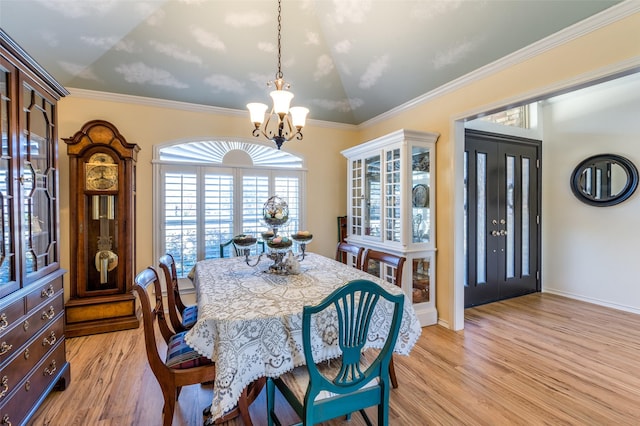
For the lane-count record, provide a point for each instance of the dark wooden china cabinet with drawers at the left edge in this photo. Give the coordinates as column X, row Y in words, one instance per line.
column 32, row 340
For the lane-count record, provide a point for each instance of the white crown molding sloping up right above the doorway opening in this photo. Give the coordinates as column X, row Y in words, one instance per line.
column 588, row 25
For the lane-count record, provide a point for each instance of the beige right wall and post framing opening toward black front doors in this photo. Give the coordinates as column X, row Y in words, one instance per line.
column 615, row 43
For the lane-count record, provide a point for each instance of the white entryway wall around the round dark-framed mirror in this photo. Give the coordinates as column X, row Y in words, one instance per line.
column 590, row 253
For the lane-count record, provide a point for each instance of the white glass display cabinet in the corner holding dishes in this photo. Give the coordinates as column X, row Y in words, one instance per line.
column 391, row 207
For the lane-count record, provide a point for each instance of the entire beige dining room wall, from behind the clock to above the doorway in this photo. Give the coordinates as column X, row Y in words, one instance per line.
column 146, row 126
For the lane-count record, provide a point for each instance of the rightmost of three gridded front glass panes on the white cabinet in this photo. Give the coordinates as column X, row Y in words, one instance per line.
column 392, row 196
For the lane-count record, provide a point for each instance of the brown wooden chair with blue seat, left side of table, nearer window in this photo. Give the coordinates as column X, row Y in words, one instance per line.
column 182, row 316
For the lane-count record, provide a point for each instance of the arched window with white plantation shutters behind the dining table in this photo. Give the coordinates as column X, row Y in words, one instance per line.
column 208, row 191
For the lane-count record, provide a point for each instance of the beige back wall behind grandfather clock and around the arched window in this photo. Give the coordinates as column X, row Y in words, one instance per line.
column 147, row 125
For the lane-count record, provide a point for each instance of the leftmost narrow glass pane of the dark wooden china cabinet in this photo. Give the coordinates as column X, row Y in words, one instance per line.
column 7, row 257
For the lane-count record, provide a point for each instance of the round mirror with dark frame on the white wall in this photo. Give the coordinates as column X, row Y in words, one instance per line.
column 604, row 180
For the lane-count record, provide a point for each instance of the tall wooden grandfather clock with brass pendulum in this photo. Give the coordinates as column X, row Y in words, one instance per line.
column 102, row 204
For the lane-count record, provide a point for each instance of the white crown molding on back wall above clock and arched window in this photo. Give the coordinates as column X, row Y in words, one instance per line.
column 185, row 106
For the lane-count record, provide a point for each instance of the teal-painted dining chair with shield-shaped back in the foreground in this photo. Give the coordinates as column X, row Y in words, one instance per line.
column 319, row 391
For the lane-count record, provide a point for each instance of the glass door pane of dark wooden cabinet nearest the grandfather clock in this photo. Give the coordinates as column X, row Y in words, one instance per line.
column 38, row 182
